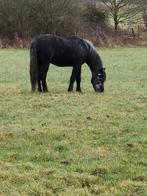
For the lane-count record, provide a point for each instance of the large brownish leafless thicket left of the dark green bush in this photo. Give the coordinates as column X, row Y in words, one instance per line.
column 23, row 18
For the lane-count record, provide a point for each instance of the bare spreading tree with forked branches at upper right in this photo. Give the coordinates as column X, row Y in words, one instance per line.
column 121, row 10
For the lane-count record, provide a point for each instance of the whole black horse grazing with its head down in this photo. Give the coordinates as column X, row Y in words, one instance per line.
column 68, row 51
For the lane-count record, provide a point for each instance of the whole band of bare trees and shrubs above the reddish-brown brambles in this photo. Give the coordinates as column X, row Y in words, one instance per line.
column 28, row 18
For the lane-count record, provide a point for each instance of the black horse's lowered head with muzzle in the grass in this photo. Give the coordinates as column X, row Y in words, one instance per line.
column 98, row 81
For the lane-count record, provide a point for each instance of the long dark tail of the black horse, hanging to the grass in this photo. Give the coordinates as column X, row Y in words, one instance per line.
column 33, row 65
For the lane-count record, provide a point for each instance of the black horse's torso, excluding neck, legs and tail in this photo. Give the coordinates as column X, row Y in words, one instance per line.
column 61, row 51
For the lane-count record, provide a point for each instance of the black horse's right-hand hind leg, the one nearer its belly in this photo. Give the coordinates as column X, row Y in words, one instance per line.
column 43, row 77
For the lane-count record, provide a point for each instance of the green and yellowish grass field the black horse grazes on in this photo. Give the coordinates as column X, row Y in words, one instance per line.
column 62, row 143
